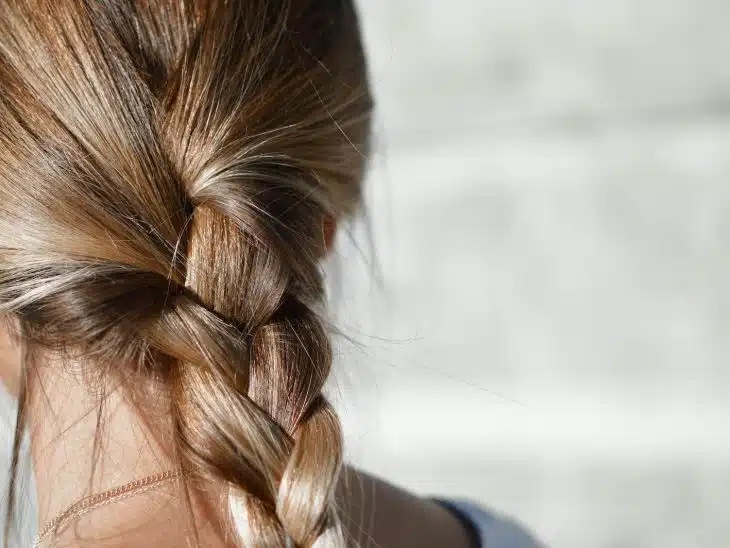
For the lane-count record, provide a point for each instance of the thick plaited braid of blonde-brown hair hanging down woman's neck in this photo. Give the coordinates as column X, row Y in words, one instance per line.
column 247, row 402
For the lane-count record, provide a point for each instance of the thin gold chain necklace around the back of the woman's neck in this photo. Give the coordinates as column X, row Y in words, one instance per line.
column 92, row 502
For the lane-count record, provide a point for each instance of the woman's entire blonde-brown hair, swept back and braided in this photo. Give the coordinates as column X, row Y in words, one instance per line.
column 165, row 169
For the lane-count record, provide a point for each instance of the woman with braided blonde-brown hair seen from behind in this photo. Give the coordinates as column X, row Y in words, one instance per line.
column 171, row 174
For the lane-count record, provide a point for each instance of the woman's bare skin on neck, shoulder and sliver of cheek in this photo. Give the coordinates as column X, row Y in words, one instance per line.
column 63, row 420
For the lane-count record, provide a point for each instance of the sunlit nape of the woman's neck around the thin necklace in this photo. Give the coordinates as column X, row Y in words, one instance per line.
column 65, row 417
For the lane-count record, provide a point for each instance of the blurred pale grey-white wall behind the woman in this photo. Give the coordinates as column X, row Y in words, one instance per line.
column 535, row 312
